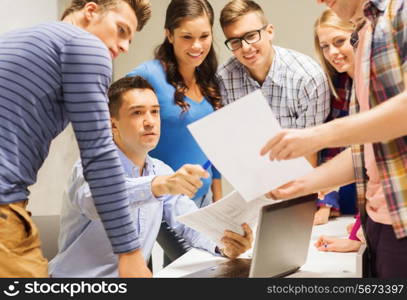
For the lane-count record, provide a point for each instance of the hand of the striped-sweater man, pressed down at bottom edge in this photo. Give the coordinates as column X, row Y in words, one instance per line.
column 133, row 265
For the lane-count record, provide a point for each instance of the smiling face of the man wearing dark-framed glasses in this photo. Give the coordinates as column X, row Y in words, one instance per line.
column 257, row 55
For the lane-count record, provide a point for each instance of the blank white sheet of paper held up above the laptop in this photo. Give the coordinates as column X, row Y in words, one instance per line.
column 232, row 138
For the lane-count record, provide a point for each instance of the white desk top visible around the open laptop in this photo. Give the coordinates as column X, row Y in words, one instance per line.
column 318, row 264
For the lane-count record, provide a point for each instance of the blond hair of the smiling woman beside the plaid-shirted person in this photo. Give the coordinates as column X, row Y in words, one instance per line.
column 329, row 19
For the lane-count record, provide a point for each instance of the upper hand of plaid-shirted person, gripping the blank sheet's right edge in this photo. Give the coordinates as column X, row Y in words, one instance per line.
column 292, row 143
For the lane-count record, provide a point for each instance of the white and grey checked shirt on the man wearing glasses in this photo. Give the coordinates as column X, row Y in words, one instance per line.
column 296, row 88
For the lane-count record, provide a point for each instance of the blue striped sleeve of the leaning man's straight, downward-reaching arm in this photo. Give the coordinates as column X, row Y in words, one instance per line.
column 86, row 71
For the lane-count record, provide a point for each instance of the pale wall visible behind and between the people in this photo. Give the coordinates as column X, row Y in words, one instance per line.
column 293, row 20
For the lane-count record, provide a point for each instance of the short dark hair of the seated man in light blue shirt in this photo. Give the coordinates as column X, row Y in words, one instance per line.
column 121, row 86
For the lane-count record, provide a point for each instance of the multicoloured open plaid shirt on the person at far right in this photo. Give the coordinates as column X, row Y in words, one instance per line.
column 388, row 61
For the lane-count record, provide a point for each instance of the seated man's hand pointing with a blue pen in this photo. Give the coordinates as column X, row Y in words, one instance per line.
column 186, row 181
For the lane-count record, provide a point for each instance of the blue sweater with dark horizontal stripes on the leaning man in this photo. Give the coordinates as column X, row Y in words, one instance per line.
column 52, row 74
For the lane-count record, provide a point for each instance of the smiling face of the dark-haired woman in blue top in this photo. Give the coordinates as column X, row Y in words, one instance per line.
column 191, row 41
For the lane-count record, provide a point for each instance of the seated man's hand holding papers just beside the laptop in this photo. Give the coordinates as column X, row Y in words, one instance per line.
column 236, row 244
